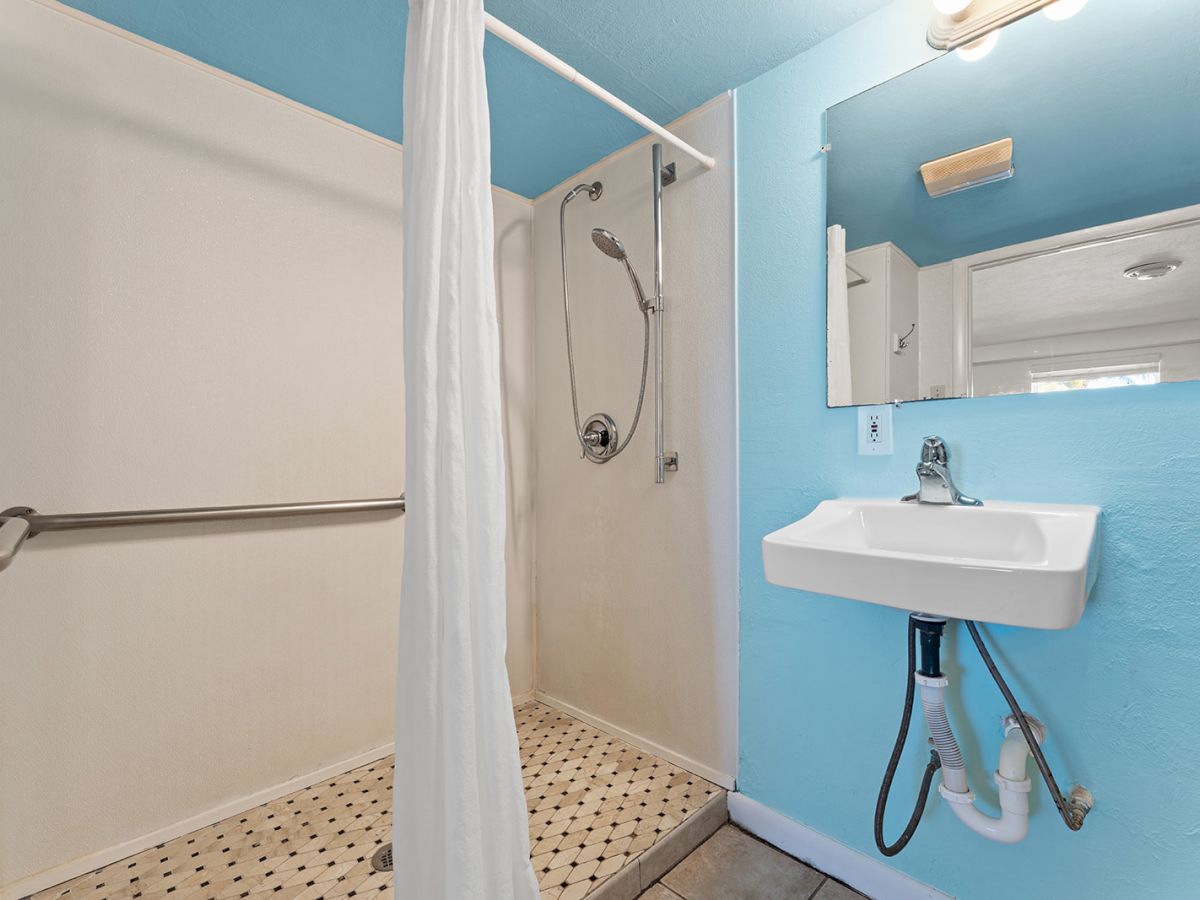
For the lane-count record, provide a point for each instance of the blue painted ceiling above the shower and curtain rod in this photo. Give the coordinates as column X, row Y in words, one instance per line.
column 347, row 59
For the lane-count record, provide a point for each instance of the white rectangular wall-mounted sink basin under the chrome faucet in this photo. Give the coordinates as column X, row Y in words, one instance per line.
column 1010, row 563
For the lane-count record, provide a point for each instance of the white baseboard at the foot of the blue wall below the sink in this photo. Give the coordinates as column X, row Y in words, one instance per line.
column 861, row 872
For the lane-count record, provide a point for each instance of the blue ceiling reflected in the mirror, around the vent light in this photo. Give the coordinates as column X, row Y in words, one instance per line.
column 1073, row 95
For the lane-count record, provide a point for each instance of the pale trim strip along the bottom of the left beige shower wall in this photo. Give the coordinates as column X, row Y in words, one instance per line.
column 85, row 865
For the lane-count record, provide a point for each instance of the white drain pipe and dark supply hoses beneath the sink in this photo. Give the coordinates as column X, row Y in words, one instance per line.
column 1023, row 739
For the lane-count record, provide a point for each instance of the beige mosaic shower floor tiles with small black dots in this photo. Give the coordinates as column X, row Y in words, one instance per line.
column 596, row 805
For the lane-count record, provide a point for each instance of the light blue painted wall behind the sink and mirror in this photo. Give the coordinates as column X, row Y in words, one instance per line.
column 823, row 680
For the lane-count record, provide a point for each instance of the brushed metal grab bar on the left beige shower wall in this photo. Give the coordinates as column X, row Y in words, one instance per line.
column 20, row 524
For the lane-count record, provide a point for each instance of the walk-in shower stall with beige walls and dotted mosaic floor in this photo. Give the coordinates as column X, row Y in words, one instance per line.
column 203, row 478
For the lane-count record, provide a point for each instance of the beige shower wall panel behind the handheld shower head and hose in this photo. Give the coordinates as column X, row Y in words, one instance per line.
column 638, row 583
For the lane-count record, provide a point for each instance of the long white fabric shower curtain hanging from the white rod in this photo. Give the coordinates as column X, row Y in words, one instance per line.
column 461, row 827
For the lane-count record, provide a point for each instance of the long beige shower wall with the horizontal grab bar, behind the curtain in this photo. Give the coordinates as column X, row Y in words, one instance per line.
column 200, row 304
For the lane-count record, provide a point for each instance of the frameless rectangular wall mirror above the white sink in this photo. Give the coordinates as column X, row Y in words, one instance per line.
column 1025, row 223
